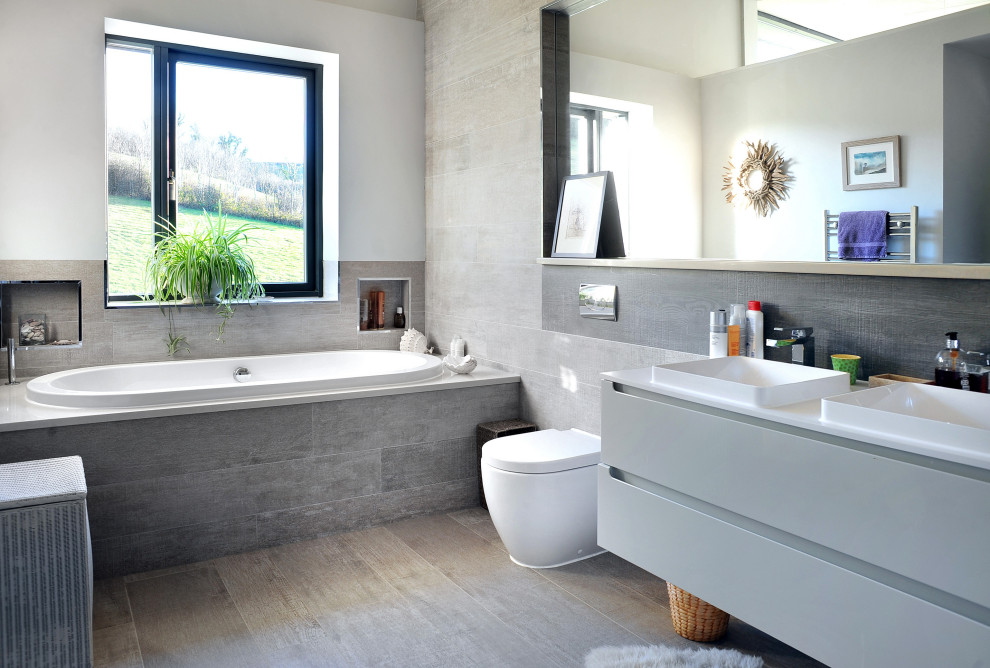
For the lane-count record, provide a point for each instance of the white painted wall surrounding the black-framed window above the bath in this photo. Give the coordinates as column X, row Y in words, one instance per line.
column 52, row 165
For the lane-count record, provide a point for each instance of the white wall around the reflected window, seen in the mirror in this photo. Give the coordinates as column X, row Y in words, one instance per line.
column 665, row 192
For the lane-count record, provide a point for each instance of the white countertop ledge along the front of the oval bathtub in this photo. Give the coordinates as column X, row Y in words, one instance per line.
column 16, row 412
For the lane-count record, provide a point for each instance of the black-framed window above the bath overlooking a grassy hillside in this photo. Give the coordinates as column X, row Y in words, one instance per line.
column 193, row 130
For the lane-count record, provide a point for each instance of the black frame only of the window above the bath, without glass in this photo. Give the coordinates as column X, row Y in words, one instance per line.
column 165, row 57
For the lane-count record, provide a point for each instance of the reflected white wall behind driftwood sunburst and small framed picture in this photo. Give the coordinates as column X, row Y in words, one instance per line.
column 887, row 84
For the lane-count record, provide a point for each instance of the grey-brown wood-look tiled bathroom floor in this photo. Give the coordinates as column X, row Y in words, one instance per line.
column 429, row 591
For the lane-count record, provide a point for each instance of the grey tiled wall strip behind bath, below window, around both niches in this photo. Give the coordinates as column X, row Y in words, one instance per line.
column 121, row 336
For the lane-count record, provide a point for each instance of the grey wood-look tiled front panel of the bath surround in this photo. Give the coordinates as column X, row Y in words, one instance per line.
column 173, row 490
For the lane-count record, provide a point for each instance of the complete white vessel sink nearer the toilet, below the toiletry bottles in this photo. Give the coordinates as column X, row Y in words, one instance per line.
column 753, row 382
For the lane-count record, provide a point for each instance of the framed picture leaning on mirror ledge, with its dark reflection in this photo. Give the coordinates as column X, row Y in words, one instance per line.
column 588, row 218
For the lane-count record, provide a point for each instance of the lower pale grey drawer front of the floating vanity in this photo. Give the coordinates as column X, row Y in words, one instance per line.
column 836, row 615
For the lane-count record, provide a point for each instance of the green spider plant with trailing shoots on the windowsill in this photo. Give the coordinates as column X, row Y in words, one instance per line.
column 206, row 266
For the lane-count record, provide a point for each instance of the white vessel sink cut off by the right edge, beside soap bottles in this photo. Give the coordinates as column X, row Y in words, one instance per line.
column 942, row 418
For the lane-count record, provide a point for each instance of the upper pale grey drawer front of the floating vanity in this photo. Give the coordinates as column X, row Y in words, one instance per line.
column 926, row 524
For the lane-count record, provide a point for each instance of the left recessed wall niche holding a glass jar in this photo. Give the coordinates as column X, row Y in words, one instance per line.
column 41, row 314
